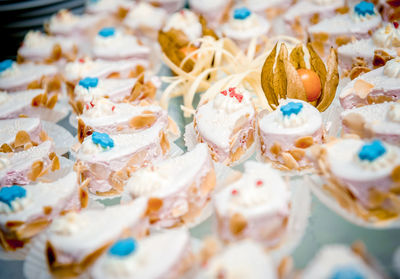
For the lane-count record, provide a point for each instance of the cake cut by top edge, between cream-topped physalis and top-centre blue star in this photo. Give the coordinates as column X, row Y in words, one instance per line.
column 212, row 10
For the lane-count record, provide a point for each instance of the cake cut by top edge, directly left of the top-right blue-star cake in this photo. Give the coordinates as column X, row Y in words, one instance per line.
column 309, row 12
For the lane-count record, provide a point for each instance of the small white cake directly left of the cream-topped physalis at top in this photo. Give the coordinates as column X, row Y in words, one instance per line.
column 145, row 20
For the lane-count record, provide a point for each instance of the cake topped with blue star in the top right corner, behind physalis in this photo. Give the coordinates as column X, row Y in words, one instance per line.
column 362, row 19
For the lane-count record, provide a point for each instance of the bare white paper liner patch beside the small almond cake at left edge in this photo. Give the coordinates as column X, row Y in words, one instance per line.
column 63, row 139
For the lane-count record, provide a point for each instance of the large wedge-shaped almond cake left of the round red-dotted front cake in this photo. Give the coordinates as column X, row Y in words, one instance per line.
column 179, row 188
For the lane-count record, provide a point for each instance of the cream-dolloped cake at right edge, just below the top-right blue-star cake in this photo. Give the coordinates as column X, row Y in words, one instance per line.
column 386, row 39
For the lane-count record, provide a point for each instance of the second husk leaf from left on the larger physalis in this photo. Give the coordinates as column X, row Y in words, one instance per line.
column 279, row 79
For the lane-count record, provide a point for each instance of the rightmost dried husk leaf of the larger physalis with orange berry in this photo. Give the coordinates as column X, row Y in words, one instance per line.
column 332, row 81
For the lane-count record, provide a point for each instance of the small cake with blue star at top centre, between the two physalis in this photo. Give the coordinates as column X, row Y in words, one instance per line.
column 243, row 25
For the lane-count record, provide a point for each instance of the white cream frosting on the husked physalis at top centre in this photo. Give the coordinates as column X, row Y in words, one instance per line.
column 187, row 22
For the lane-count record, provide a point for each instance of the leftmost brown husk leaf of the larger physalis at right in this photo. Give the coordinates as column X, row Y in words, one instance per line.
column 267, row 78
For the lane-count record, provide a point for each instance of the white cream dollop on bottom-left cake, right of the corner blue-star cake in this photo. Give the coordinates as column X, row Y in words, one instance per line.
column 69, row 224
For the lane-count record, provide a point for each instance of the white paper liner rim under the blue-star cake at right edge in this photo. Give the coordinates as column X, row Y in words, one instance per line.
column 316, row 184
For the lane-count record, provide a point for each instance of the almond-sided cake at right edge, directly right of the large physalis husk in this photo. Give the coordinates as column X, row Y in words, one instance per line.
column 377, row 86
